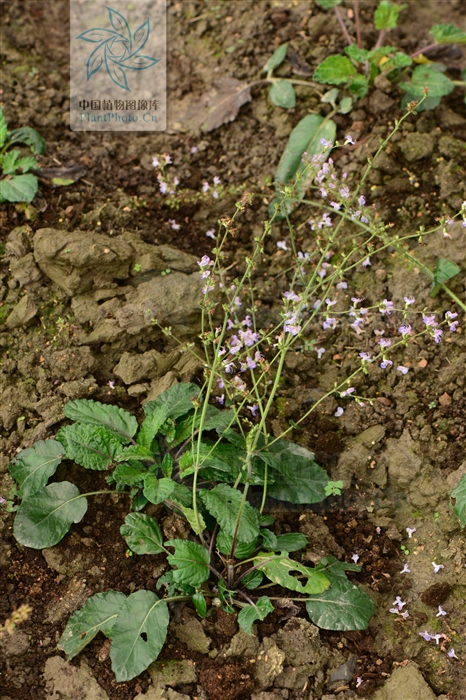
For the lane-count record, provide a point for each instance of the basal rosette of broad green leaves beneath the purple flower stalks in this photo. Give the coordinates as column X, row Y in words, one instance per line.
column 231, row 550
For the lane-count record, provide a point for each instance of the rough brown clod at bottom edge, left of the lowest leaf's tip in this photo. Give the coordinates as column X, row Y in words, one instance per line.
column 66, row 682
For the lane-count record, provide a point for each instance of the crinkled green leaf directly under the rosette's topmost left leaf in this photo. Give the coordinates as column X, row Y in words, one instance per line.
column 93, row 447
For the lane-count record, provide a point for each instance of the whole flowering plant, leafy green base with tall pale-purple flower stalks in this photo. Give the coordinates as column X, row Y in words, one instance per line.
column 205, row 451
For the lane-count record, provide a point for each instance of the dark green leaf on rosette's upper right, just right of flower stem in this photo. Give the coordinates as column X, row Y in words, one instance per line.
column 299, row 478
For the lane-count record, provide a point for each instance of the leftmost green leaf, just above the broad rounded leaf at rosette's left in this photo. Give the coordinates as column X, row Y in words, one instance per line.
column 33, row 467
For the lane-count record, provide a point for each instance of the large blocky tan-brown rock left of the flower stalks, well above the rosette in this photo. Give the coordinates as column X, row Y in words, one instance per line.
column 74, row 260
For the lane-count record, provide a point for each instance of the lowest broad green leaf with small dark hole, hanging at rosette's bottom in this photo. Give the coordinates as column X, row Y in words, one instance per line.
column 138, row 634
